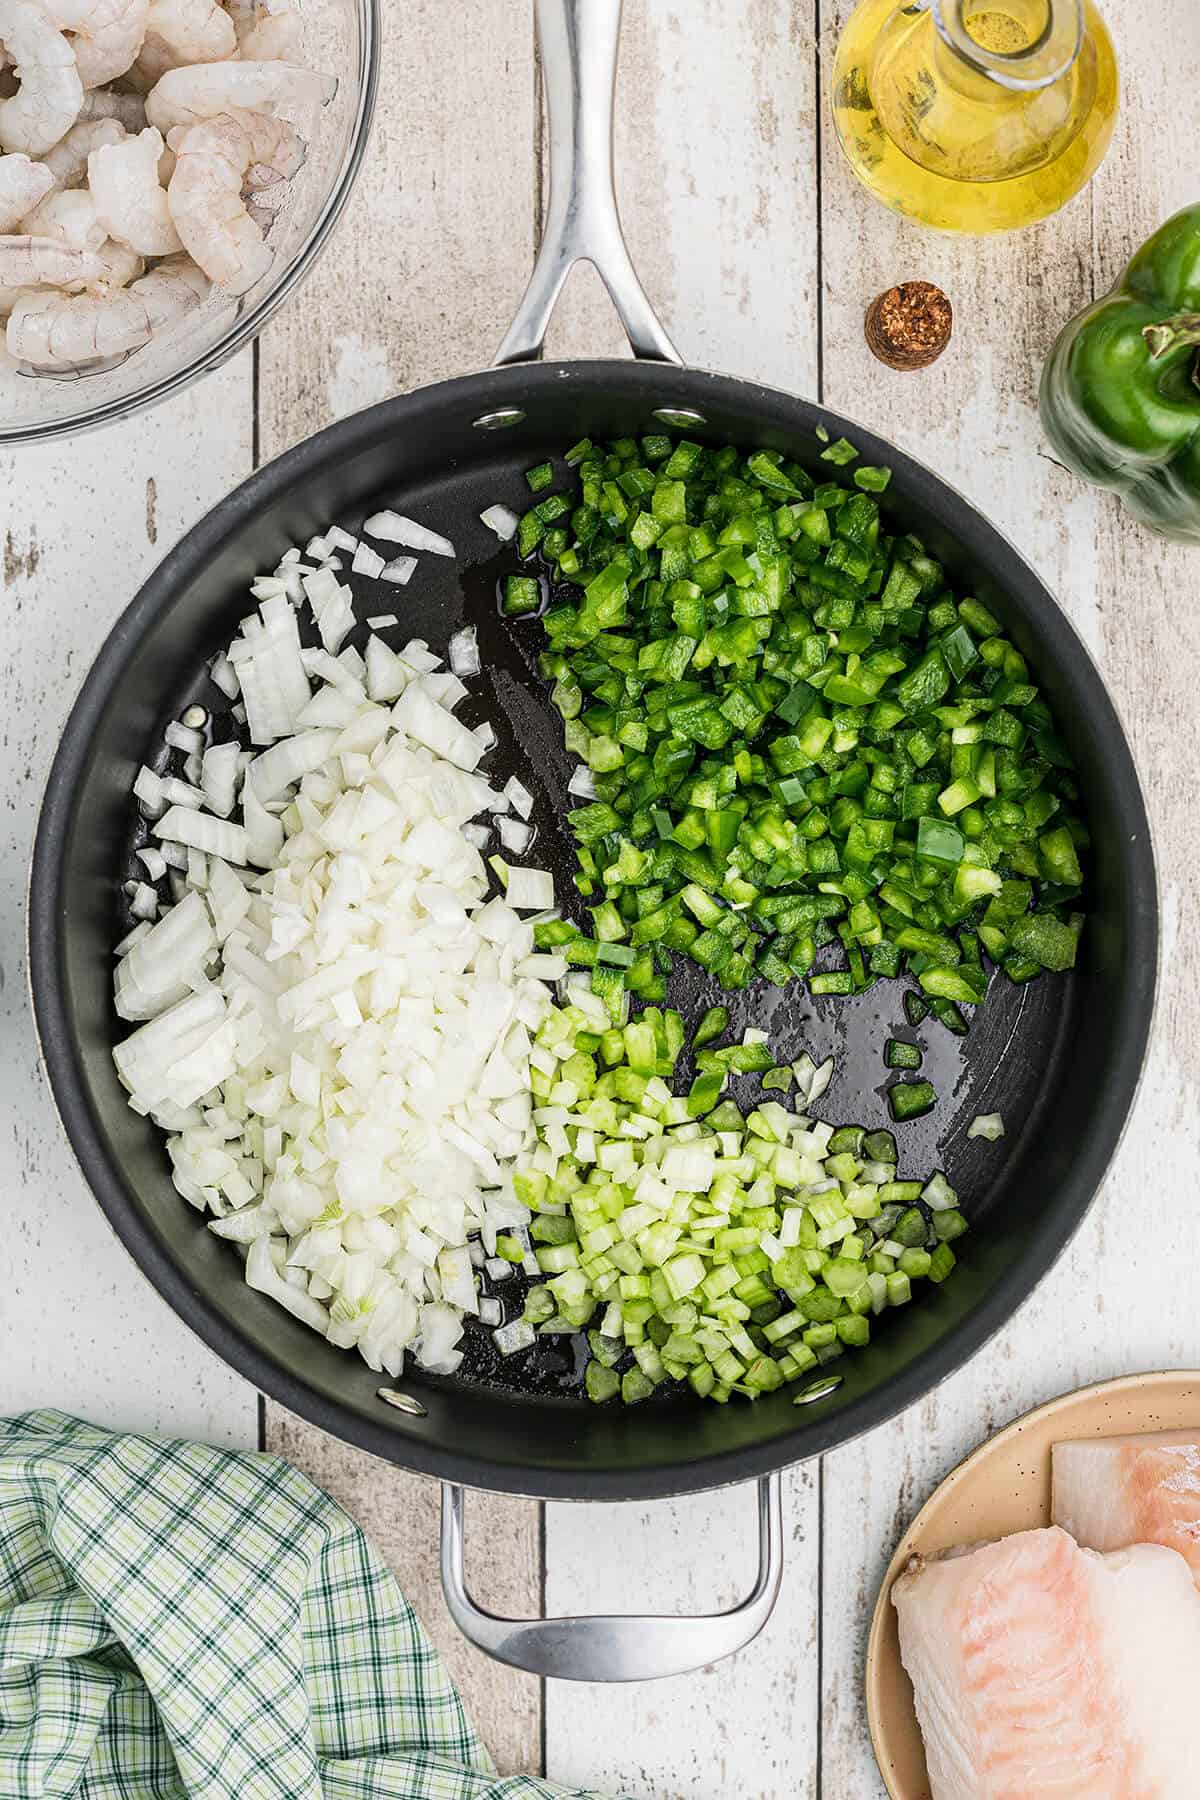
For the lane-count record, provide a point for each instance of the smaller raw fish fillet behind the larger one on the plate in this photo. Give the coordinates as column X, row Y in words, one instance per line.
column 1111, row 1493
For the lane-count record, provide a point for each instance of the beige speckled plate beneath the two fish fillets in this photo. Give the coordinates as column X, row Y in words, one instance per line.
column 1003, row 1488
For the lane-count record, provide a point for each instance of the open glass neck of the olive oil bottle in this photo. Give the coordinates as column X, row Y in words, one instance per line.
column 1021, row 46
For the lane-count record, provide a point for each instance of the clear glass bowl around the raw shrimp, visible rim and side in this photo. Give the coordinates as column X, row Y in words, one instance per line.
column 343, row 40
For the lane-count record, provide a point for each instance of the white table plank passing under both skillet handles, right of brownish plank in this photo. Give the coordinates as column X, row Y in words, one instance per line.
column 715, row 174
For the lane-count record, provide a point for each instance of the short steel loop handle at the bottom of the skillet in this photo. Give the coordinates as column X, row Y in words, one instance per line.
column 614, row 1648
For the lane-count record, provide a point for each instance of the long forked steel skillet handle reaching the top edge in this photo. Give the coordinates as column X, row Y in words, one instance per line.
column 580, row 62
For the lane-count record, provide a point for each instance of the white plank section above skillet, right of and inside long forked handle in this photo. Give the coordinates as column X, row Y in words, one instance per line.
column 715, row 156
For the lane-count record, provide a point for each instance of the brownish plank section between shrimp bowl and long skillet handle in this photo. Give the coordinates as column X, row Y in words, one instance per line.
column 436, row 244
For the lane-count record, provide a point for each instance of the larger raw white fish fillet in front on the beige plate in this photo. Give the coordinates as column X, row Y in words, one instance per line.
column 1050, row 1673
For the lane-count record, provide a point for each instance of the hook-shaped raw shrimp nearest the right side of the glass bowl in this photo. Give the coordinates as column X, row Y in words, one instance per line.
column 217, row 161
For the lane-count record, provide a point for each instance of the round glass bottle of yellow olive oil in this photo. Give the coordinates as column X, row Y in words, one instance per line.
column 976, row 116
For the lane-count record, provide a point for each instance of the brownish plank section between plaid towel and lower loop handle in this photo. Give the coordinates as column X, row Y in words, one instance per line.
column 400, row 1513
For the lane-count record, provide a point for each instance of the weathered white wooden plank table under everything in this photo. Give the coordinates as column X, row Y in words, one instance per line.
column 762, row 255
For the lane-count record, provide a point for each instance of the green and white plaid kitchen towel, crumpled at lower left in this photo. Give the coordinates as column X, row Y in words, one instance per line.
column 181, row 1623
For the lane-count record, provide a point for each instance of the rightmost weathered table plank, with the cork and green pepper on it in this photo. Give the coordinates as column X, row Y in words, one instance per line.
column 974, row 418
